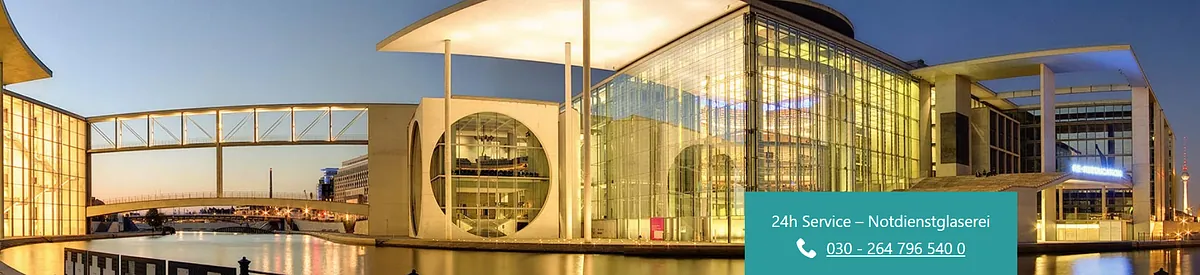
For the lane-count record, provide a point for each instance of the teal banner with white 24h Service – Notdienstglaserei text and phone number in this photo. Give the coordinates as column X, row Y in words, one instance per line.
column 895, row 234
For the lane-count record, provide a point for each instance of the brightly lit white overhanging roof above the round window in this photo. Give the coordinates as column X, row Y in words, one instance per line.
column 622, row 31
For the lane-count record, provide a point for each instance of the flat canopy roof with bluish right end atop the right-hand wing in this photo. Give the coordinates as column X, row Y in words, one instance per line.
column 1118, row 58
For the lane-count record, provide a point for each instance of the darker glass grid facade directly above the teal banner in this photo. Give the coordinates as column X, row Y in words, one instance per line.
column 832, row 119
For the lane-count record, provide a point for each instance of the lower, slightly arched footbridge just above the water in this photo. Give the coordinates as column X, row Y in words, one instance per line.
column 227, row 200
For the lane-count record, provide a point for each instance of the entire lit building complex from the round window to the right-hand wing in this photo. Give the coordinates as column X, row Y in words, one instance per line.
column 715, row 99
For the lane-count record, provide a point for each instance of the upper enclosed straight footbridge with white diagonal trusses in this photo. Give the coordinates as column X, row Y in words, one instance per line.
column 302, row 124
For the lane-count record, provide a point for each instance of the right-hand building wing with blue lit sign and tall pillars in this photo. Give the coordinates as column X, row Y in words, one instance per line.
column 1117, row 156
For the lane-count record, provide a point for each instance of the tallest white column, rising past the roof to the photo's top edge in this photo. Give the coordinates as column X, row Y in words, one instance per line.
column 587, row 121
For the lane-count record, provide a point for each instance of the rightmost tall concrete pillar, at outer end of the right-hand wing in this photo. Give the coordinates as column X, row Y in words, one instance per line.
column 1142, row 158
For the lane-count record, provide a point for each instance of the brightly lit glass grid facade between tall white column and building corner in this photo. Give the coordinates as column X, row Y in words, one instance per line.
column 669, row 140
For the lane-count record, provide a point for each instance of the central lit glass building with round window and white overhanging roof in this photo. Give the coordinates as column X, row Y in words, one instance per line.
column 671, row 130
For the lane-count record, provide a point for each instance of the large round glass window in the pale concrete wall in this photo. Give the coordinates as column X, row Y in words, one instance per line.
column 501, row 175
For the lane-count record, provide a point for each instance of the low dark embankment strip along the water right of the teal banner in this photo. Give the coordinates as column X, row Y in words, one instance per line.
column 1102, row 247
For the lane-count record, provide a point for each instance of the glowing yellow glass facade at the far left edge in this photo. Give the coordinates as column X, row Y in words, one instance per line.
column 45, row 190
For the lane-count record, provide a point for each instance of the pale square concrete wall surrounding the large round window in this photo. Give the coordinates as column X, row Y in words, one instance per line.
column 542, row 118
